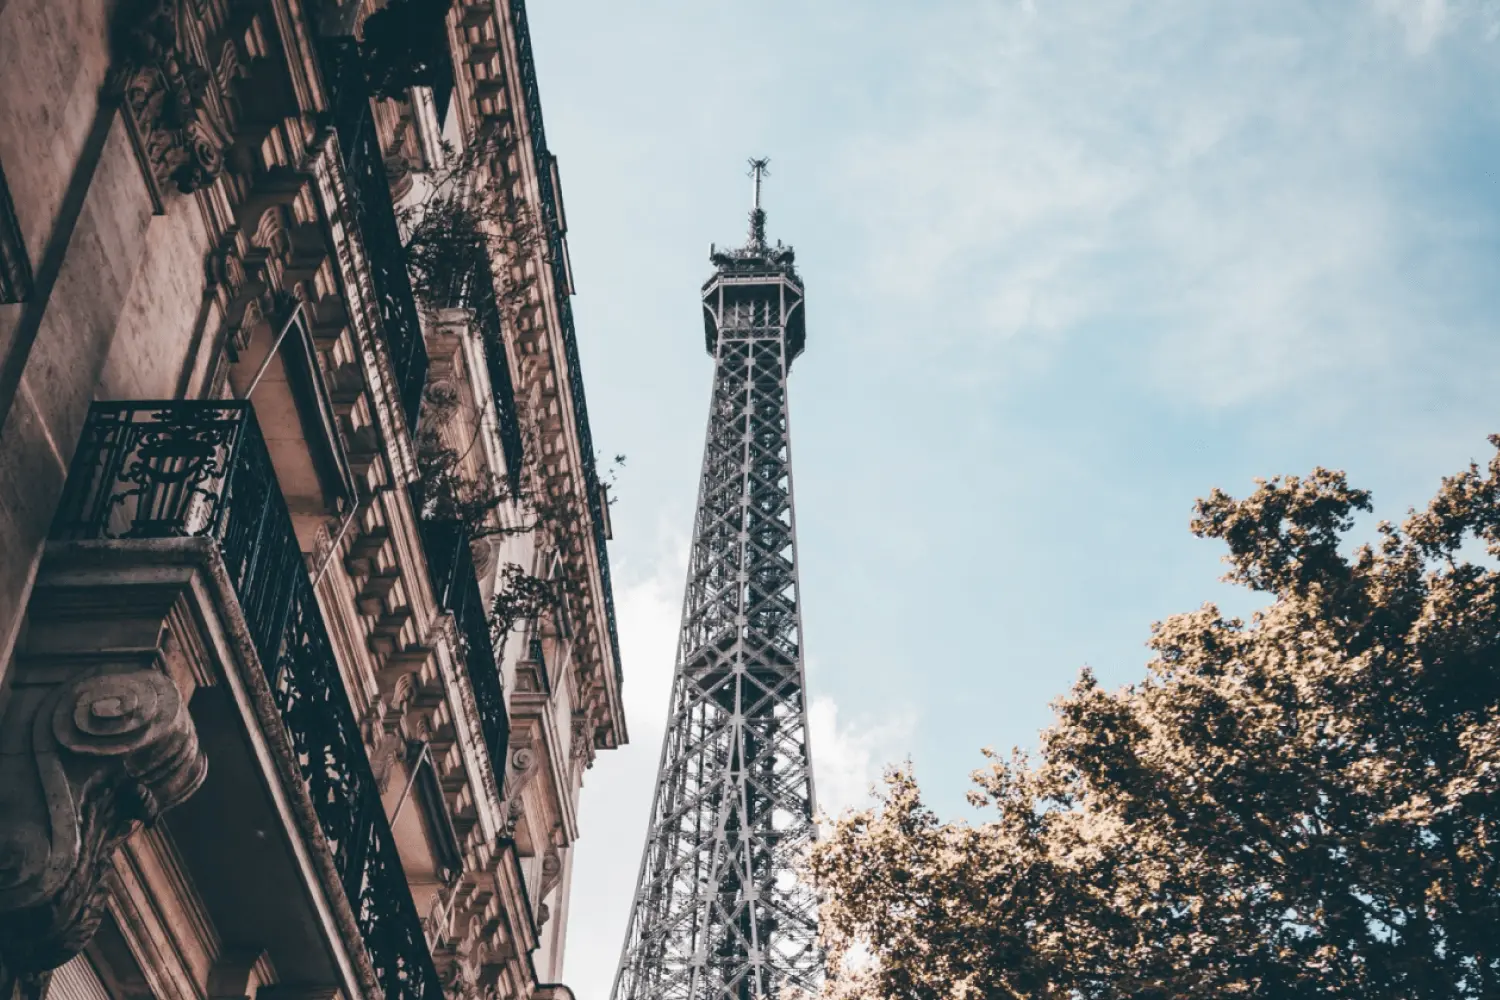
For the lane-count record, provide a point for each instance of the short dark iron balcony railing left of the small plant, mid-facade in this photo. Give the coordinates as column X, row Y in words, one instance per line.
column 451, row 566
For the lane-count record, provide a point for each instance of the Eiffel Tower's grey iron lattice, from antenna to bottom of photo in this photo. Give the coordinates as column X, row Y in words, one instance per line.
column 719, row 912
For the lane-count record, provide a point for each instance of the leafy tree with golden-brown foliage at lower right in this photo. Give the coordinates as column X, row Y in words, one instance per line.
column 1301, row 806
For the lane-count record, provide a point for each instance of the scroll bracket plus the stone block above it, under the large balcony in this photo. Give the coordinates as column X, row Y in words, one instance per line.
column 95, row 741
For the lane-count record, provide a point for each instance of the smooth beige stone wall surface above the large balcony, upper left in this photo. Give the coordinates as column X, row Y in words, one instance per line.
column 118, row 290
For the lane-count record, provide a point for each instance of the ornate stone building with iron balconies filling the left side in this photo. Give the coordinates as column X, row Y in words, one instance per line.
column 307, row 632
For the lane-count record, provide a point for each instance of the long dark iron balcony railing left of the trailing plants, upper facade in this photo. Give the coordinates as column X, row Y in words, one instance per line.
column 376, row 215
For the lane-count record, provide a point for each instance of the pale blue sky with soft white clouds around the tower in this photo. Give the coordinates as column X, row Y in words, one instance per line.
column 1070, row 265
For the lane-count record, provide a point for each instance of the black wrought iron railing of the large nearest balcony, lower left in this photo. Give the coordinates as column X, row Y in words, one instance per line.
column 188, row 469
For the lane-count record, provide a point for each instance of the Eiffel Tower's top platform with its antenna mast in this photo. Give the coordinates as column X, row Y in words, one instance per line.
column 757, row 280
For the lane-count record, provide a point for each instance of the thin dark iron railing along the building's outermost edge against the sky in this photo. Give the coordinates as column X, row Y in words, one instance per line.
column 557, row 259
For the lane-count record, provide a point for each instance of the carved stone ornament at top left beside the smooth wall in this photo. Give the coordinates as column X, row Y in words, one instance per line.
column 164, row 94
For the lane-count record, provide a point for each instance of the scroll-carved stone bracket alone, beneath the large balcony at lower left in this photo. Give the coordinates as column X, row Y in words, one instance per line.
column 86, row 756
